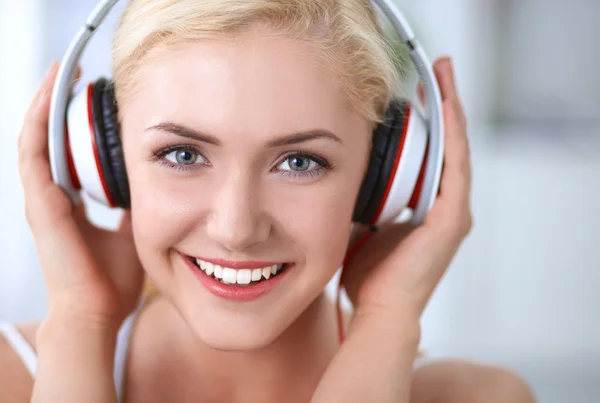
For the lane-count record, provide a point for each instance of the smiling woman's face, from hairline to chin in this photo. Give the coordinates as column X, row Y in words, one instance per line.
column 245, row 155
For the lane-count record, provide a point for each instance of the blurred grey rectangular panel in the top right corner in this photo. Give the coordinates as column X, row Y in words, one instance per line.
column 551, row 71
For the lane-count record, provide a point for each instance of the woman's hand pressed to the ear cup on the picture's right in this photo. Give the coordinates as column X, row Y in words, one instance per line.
column 400, row 266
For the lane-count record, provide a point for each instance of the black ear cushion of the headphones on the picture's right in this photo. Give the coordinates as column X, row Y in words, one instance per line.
column 386, row 138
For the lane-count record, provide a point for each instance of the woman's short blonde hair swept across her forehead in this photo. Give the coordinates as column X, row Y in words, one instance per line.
column 347, row 34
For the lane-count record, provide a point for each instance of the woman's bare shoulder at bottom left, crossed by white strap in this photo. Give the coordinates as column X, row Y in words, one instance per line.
column 16, row 383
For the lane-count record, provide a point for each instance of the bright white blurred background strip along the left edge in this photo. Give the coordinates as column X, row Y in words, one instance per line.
column 21, row 287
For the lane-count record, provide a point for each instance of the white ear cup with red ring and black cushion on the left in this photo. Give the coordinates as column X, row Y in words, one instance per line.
column 95, row 144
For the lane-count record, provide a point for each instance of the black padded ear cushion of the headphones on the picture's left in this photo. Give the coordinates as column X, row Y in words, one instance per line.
column 108, row 141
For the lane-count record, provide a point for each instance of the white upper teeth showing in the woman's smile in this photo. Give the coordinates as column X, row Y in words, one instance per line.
column 238, row 276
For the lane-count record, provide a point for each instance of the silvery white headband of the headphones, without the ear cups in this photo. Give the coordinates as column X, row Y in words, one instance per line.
column 67, row 70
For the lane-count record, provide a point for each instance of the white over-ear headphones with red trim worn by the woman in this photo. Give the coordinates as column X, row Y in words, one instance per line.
column 404, row 168
